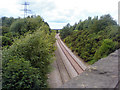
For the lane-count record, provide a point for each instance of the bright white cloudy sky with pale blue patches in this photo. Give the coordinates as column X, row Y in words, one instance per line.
column 60, row 12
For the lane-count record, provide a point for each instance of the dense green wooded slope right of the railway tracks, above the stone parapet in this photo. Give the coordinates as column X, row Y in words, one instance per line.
column 92, row 39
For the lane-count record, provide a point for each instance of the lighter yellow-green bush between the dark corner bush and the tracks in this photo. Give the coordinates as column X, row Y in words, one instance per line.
column 33, row 47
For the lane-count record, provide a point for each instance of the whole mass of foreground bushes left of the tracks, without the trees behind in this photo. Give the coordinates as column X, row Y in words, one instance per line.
column 32, row 52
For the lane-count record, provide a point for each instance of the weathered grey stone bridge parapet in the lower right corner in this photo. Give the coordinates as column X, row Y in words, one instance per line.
column 102, row 74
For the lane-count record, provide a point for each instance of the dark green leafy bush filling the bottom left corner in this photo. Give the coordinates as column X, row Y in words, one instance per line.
column 19, row 74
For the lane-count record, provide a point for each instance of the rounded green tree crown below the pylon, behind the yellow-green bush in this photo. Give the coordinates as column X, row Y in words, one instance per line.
column 22, row 26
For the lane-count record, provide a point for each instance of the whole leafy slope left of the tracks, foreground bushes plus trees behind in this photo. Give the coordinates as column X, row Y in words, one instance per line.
column 25, row 62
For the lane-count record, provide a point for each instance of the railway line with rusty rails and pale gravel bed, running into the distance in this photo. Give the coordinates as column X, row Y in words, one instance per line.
column 67, row 64
